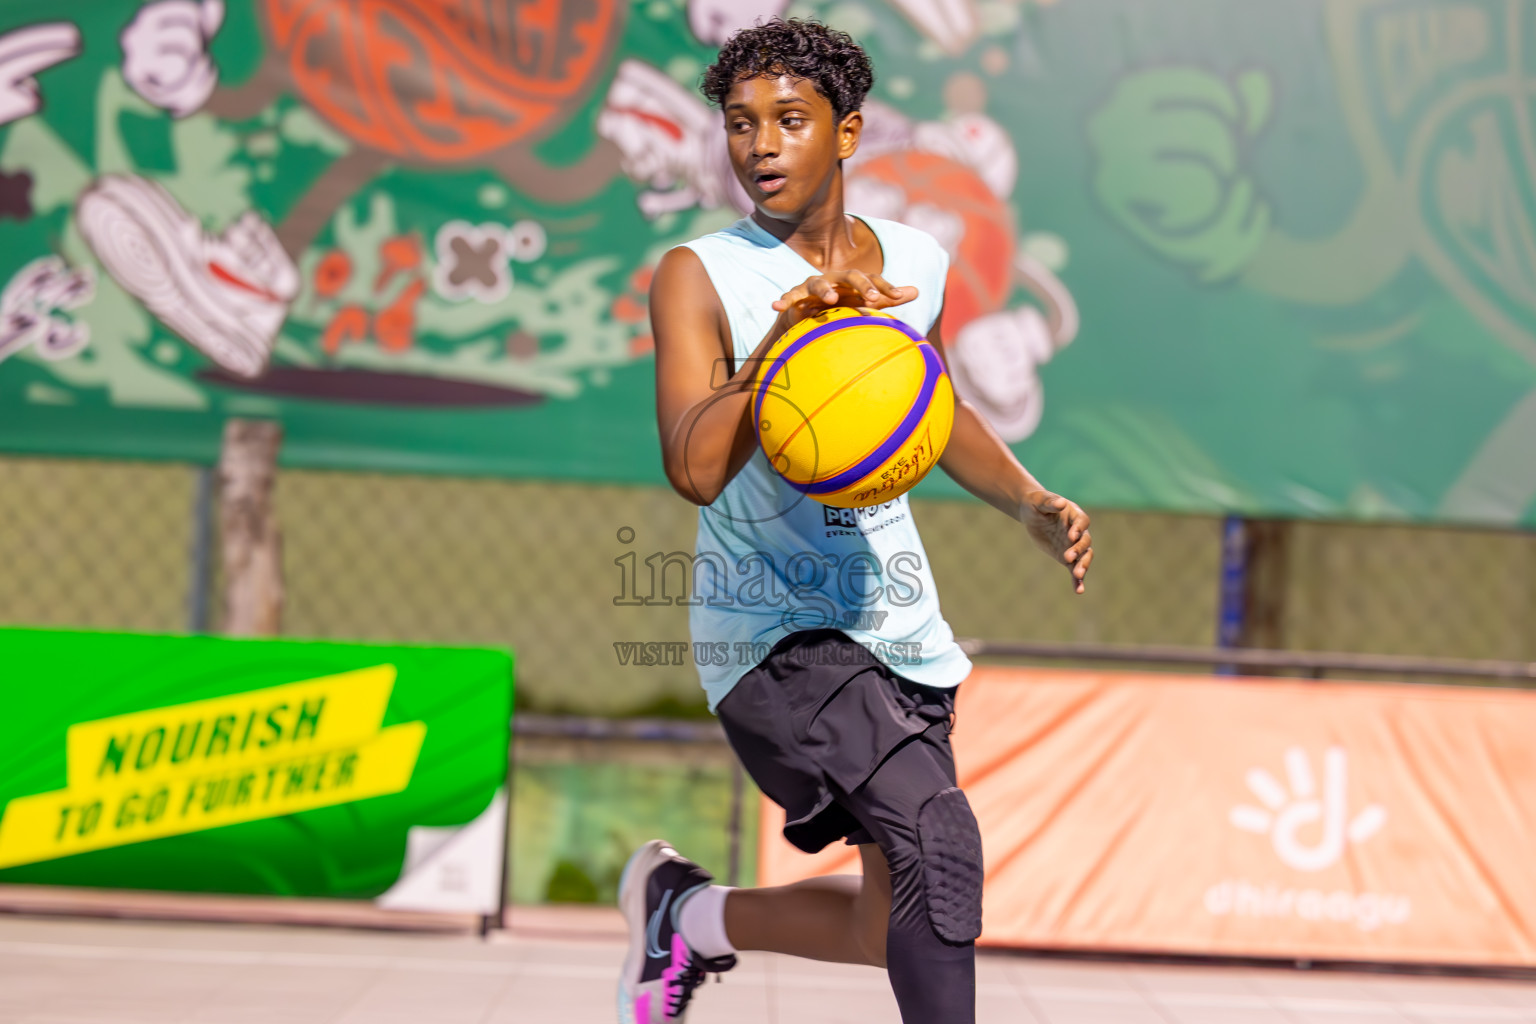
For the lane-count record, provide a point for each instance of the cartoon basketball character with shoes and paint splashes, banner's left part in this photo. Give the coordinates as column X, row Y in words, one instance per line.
column 202, row 256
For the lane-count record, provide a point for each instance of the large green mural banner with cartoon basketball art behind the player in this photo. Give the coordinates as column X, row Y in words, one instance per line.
column 1273, row 262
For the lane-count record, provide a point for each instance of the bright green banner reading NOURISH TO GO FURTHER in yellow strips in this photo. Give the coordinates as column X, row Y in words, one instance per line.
column 256, row 767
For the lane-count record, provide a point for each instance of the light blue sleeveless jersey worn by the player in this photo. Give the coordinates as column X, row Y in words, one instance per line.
column 772, row 561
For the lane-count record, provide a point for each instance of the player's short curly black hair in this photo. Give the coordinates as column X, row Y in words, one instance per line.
column 829, row 59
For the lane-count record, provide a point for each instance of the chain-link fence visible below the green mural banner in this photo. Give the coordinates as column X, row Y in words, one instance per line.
column 537, row 567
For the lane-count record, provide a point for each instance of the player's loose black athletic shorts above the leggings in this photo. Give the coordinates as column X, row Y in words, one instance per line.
column 818, row 718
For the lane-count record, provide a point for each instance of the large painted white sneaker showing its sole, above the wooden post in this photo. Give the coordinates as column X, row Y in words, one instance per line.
column 225, row 294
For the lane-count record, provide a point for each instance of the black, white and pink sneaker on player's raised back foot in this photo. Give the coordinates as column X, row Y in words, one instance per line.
column 660, row 973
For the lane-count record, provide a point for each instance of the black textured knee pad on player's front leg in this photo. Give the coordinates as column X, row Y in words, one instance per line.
column 952, row 851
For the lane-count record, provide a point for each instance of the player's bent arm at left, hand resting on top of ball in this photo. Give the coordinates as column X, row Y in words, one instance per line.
column 703, row 400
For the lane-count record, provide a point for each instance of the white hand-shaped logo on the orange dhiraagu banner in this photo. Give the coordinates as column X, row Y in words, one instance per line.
column 1286, row 813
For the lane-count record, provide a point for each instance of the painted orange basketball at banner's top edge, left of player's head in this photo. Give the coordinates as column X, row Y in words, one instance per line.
column 443, row 82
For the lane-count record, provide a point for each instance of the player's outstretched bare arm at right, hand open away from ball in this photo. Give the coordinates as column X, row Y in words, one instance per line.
column 979, row 461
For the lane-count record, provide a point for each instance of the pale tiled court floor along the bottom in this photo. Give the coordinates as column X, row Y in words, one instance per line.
column 121, row 973
